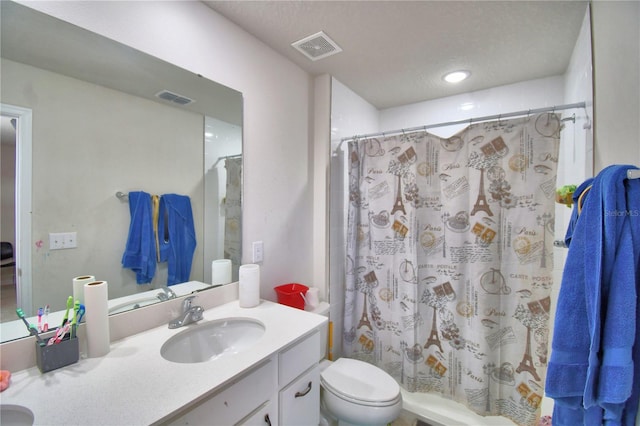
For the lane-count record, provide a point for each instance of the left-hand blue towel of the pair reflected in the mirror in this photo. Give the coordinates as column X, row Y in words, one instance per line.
column 139, row 254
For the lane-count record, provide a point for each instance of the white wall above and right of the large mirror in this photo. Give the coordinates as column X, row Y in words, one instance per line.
column 278, row 204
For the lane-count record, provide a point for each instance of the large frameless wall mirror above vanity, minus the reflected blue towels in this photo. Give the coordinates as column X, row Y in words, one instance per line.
column 98, row 128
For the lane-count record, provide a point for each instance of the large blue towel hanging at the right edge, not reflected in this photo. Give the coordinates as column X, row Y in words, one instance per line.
column 593, row 356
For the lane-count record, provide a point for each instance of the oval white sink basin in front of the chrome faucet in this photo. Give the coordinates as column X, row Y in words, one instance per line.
column 211, row 340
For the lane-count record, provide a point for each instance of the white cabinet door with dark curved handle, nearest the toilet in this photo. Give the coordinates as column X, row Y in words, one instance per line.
column 300, row 401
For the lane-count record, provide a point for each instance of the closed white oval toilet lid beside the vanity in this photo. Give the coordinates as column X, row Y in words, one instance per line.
column 360, row 380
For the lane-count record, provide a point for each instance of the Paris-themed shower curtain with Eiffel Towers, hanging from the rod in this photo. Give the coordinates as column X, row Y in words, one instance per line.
column 449, row 261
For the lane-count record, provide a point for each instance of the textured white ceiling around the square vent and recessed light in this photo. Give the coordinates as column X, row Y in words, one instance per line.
column 396, row 52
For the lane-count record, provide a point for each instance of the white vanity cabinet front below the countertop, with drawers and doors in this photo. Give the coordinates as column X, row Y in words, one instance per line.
column 283, row 390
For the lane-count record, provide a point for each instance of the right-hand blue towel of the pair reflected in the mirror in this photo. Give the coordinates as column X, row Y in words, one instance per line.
column 177, row 237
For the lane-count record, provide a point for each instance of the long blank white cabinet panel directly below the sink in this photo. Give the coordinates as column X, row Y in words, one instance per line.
column 236, row 401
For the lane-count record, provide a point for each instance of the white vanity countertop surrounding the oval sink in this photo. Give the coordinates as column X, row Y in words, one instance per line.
column 134, row 385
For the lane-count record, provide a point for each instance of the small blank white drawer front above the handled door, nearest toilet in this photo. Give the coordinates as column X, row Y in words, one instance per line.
column 298, row 358
